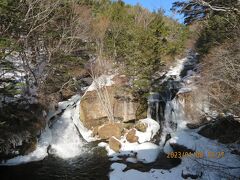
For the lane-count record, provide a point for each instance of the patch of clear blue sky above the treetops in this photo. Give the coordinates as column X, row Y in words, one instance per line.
column 156, row 4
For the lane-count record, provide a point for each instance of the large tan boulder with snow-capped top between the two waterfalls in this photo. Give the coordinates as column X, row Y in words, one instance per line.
column 120, row 103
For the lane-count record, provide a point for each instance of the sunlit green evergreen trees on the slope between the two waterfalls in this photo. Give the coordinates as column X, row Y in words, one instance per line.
column 140, row 40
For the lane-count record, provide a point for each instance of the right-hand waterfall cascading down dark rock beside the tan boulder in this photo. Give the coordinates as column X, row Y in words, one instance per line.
column 173, row 115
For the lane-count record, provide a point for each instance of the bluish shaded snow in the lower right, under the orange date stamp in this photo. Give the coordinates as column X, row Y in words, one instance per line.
column 223, row 165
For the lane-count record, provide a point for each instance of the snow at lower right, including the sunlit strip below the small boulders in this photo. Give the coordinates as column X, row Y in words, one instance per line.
column 216, row 162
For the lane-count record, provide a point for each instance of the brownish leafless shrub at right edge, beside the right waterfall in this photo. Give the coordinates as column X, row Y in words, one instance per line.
column 221, row 77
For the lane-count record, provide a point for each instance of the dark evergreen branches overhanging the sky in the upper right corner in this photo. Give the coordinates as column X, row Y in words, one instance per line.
column 220, row 20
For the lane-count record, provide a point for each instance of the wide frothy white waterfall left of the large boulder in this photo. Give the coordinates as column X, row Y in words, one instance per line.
column 63, row 138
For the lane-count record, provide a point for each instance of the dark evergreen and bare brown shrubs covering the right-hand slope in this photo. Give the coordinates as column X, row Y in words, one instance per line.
column 217, row 25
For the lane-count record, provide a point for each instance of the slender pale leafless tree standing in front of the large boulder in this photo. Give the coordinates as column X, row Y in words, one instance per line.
column 100, row 68
